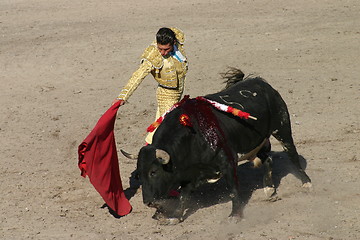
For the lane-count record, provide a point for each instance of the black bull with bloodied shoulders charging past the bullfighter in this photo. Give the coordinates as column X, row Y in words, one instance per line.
column 196, row 143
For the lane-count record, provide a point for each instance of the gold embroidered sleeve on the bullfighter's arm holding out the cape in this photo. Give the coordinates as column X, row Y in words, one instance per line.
column 135, row 80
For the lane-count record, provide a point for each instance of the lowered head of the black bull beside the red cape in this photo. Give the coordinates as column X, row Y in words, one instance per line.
column 155, row 172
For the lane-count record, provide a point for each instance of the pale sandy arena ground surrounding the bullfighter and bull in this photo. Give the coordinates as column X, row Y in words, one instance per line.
column 63, row 62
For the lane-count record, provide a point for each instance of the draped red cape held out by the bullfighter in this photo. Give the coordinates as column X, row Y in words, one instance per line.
column 99, row 161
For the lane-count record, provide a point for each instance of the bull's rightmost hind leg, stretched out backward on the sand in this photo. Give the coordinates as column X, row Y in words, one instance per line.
column 283, row 135
